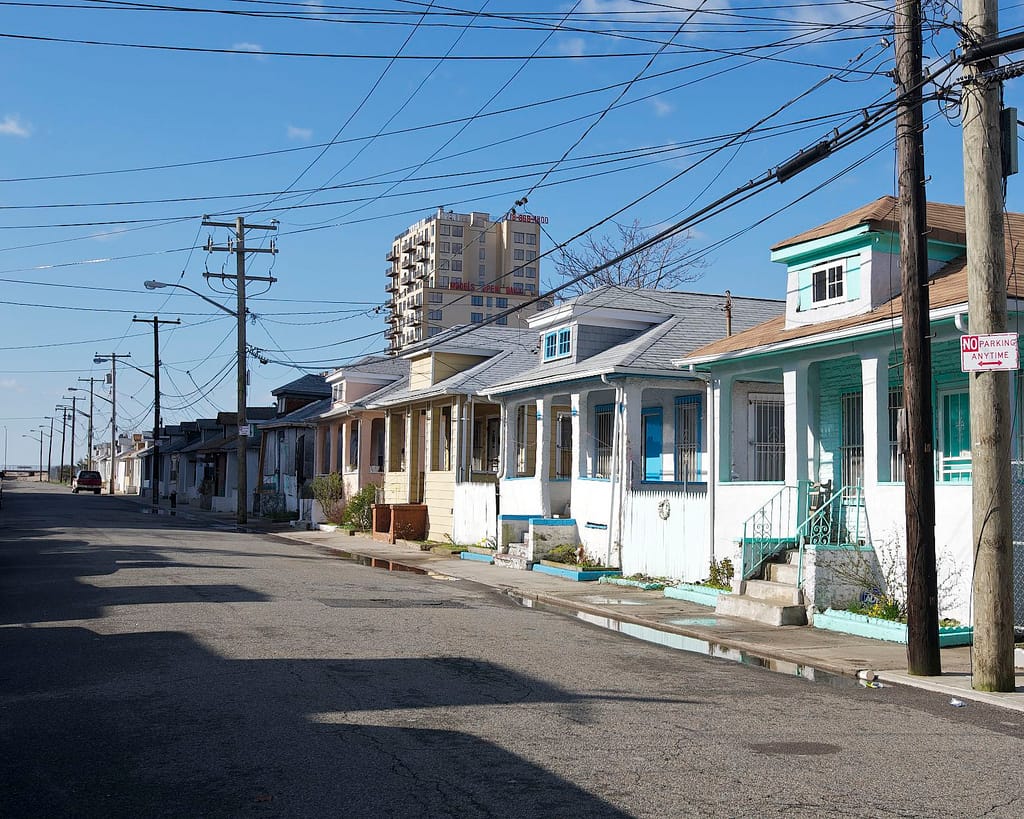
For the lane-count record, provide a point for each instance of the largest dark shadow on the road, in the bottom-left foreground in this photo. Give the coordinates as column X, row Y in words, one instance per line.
column 155, row 724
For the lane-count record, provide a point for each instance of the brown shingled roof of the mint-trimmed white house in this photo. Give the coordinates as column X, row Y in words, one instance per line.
column 948, row 291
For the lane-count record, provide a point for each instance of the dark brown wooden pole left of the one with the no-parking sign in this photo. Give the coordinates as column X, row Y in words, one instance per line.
column 922, row 599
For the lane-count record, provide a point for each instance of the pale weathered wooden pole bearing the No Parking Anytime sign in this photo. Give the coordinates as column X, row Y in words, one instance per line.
column 991, row 411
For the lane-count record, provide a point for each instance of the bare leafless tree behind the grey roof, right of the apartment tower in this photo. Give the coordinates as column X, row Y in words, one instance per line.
column 664, row 266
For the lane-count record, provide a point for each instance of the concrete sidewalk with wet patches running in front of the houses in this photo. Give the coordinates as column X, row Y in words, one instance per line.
column 656, row 618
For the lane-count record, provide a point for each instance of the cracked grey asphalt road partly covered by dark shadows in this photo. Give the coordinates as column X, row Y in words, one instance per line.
column 157, row 667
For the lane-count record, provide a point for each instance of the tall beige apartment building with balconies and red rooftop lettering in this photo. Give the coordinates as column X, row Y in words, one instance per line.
column 457, row 269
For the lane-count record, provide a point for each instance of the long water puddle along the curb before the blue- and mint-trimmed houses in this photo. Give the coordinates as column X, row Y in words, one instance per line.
column 695, row 645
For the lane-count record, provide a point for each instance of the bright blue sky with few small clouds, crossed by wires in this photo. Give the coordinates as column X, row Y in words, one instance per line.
column 302, row 113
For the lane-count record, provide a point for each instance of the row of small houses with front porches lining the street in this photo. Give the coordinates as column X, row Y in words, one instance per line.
column 660, row 432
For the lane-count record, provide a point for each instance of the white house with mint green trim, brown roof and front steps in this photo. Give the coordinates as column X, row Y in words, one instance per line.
column 806, row 418
